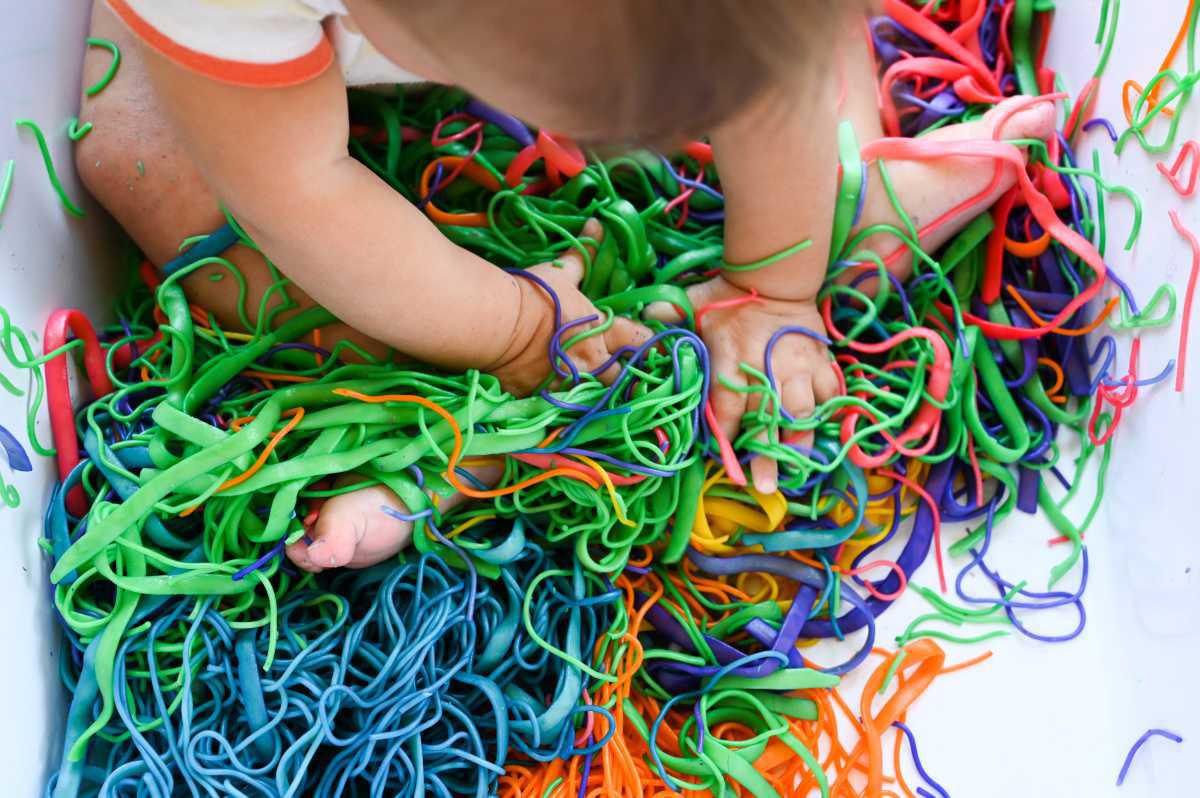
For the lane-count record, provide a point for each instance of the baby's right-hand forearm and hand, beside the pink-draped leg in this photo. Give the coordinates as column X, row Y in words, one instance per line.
column 778, row 161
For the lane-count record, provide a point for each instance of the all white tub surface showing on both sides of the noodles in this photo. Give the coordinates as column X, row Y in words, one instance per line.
column 1036, row 721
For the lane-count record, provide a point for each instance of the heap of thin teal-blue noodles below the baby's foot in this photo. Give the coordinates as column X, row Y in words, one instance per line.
column 381, row 686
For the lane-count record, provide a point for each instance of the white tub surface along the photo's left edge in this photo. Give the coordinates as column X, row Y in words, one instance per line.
column 47, row 260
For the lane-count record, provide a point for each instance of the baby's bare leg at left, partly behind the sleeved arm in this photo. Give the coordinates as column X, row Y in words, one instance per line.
column 136, row 167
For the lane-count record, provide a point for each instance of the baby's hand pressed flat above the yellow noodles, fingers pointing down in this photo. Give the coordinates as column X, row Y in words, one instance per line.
column 740, row 334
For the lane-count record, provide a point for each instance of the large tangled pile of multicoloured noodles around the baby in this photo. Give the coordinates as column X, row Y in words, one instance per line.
column 621, row 615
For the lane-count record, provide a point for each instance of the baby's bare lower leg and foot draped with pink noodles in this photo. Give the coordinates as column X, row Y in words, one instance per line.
column 929, row 189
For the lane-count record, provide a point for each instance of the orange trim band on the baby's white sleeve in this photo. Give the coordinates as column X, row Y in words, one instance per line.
column 241, row 74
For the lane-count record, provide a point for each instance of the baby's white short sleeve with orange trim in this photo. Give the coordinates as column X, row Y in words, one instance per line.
column 261, row 44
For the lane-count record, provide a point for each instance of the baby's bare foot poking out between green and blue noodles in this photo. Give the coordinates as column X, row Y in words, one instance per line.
column 353, row 531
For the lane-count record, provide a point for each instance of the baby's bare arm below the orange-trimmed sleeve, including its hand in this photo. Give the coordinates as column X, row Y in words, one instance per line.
column 278, row 158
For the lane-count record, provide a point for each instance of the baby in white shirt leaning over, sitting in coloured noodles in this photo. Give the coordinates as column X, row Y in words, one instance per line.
column 243, row 104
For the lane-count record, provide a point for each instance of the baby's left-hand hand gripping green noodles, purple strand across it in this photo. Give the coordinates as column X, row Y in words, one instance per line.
column 526, row 363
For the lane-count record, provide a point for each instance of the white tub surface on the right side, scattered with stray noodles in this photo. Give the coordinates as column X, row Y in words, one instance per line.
column 1058, row 721
